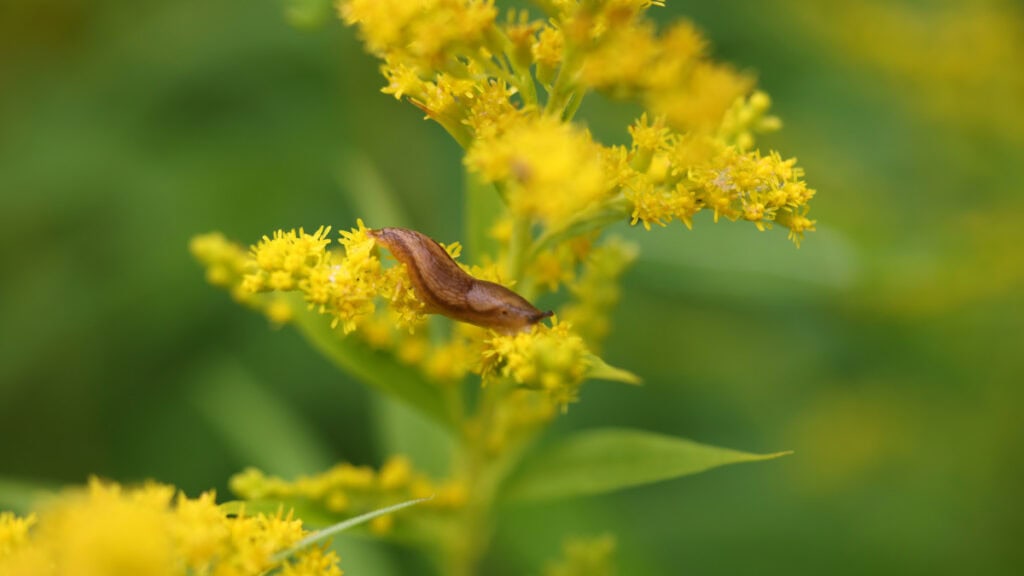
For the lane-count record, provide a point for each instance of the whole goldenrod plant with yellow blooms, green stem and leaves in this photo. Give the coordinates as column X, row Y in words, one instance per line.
column 543, row 201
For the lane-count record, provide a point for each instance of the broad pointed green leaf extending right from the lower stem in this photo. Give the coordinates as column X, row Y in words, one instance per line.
column 606, row 461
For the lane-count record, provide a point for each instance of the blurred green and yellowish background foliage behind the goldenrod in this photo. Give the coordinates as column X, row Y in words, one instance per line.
column 887, row 352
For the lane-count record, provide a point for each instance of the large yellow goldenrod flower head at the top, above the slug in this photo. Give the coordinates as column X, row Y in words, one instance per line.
column 476, row 76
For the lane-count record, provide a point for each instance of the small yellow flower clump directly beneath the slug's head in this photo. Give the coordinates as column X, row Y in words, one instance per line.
column 552, row 359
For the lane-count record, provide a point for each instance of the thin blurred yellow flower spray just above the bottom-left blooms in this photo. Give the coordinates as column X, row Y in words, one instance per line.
column 348, row 490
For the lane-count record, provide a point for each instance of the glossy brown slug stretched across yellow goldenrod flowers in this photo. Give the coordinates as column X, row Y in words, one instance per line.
column 447, row 290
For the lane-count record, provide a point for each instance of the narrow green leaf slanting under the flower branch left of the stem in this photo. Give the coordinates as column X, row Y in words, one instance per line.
column 375, row 368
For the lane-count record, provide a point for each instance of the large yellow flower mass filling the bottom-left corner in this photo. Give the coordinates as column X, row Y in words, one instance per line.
column 105, row 529
